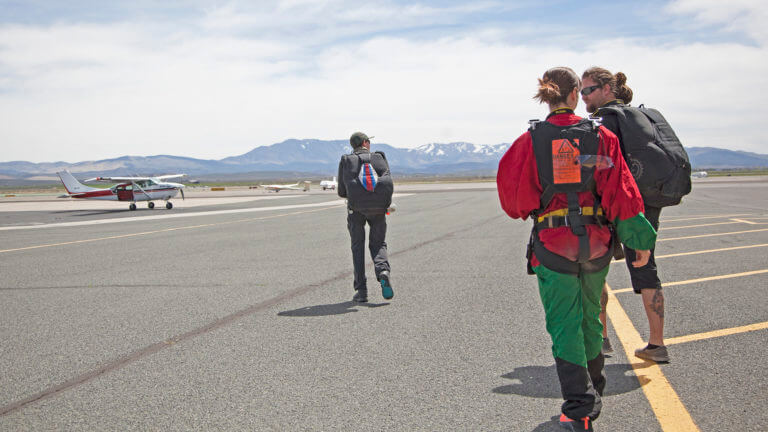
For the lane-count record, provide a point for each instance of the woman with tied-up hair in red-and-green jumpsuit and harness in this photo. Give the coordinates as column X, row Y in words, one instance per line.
column 567, row 174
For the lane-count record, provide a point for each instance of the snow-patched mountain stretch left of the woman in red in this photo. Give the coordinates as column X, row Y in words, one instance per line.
column 293, row 155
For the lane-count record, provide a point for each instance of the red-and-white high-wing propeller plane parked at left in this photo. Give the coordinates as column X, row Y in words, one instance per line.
column 129, row 189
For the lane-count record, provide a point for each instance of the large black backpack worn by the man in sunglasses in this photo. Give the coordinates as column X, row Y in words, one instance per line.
column 655, row 156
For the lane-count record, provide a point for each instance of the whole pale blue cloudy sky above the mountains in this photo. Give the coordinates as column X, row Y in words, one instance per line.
column 89, row 80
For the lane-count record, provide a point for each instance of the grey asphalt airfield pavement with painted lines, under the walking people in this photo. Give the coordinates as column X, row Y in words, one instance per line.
column 241, row 320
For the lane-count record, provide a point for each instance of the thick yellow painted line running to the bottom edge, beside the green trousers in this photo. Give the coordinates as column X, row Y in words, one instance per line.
column 669, row 410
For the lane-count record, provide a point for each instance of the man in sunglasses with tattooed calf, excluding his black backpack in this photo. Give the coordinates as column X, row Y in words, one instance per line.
column 600, row 89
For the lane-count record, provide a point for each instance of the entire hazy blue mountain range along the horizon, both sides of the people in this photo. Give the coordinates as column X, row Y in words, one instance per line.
column 321, row 158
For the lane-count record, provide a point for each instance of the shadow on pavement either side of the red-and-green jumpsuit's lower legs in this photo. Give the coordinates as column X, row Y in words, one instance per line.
column 541, row 381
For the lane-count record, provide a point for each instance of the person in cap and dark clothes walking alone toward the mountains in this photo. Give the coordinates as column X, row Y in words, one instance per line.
column 365, row 181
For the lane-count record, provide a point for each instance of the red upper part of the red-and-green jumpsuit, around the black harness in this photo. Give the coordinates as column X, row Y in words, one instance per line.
column 519, row 192
